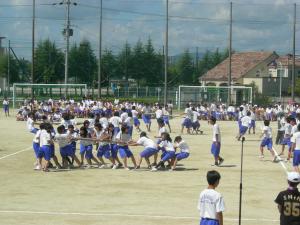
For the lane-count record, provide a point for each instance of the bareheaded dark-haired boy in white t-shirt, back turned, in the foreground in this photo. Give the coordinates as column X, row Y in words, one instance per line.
column 211, row 203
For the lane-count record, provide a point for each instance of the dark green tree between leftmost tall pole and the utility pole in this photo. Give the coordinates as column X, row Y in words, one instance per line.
column 49, row 67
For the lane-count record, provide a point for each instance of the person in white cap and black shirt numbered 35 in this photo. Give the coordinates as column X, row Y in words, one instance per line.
column 288, row 201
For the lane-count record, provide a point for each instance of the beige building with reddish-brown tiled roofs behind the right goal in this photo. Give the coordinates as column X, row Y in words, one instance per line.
column 262, row 68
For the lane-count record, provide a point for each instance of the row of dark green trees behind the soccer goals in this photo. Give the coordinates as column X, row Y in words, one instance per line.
column 141, row 62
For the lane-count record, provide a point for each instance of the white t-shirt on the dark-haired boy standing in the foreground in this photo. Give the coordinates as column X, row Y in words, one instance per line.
column 210, row 203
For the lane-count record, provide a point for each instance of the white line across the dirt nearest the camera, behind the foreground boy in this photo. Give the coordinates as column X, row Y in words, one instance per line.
column 124, row 215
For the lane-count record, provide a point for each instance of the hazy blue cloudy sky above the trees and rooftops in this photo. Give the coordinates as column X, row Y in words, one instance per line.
column 257, row 24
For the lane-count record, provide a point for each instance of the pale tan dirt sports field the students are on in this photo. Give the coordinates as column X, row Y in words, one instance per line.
column 113, row 197
